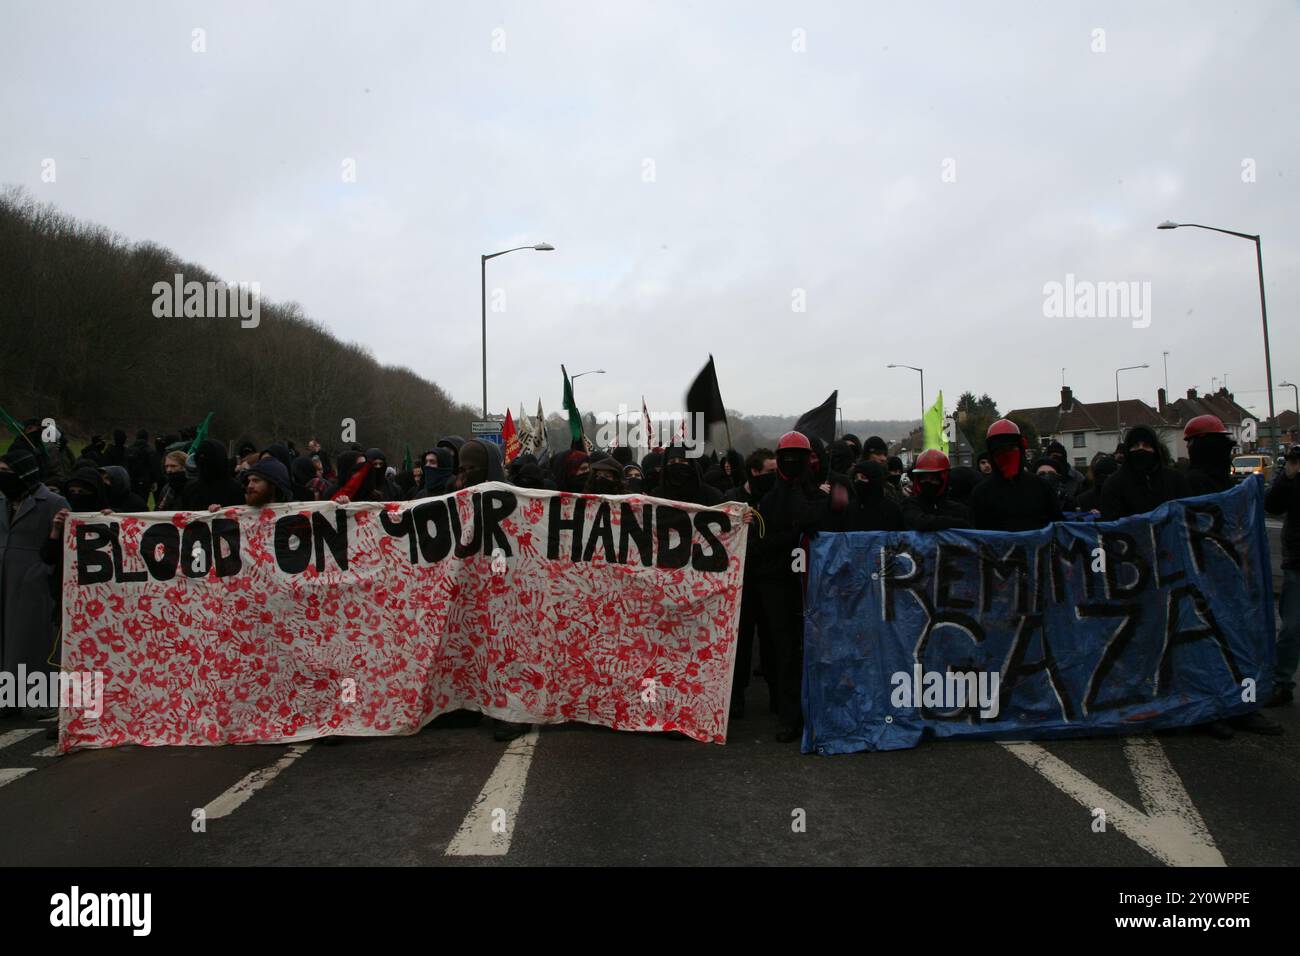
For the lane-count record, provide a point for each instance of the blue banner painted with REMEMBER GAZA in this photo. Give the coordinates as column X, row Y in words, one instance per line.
column 1084, row 628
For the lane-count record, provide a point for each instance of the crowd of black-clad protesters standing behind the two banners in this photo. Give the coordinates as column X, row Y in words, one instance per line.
column 801, row 488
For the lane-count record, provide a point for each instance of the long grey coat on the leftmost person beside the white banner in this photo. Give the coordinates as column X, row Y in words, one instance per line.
column 27, row 603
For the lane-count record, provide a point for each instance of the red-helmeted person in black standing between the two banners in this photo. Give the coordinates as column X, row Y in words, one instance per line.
column 790, row 514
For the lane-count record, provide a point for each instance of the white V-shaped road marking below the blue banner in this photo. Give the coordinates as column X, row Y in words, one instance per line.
column 1169, row 827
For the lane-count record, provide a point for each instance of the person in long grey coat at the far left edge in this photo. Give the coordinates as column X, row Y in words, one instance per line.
column 32, row 526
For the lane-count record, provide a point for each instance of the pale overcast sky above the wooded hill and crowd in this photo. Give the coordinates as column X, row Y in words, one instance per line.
column 920, row 171
